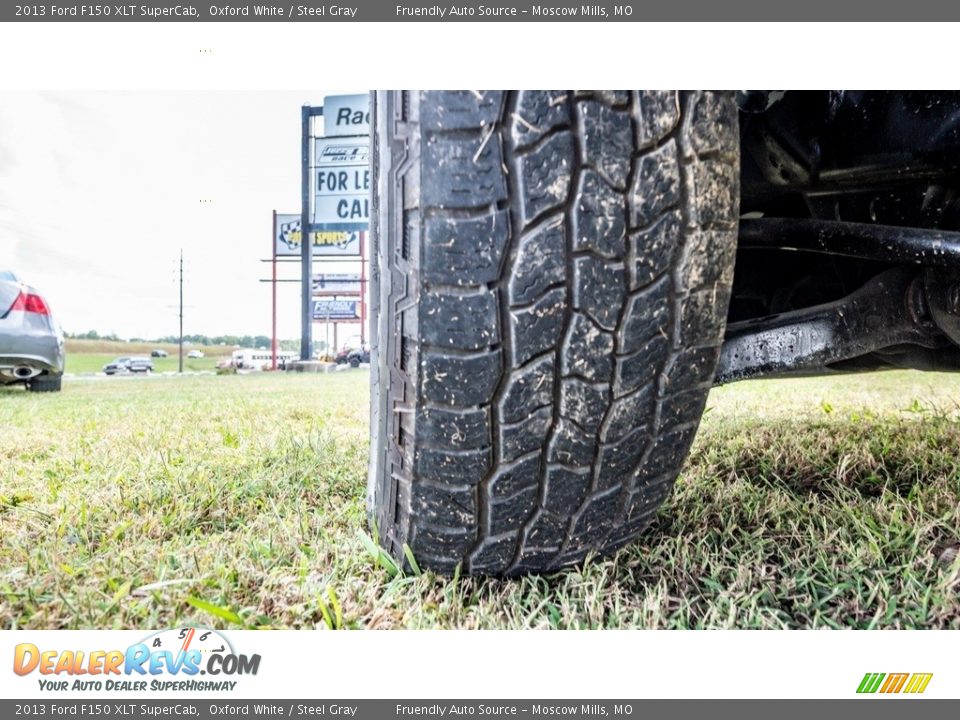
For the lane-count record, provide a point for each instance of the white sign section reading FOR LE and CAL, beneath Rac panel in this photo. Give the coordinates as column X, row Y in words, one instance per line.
column 341, row 192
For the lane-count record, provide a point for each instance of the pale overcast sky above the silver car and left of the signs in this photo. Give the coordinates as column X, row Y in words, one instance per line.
column 99, row 191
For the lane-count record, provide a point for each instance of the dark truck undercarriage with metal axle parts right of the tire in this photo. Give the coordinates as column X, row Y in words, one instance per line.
column 848, row 256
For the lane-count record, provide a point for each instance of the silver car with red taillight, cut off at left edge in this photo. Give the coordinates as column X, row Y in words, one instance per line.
column 31, row 342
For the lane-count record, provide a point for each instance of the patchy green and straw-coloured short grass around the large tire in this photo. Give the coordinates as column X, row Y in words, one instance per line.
column 238, row 502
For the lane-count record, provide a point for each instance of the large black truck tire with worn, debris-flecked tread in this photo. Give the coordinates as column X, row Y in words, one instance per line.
column 551, row 278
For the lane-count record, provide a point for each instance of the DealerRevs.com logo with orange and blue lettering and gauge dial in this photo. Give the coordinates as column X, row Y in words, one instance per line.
column 169, row 660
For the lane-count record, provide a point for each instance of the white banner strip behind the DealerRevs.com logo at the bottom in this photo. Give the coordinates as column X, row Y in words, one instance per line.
column 515, row 664
